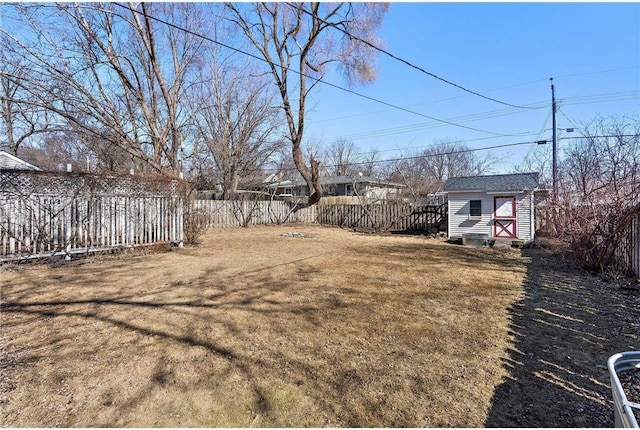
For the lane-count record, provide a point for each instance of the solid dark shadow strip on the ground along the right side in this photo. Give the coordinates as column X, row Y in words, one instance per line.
column 565, row 328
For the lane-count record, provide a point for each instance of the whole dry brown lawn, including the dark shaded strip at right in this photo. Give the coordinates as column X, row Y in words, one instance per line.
column 253, row 329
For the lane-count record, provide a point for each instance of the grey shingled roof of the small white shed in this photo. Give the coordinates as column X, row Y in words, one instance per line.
column 489, row 183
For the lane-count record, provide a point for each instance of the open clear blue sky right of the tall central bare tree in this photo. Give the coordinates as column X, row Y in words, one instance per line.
column 507, row 51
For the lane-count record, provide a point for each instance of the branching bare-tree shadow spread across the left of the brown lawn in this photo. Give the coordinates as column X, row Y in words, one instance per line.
column 252, row 292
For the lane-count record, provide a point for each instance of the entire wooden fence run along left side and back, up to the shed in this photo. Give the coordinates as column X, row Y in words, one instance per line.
column 45, row 213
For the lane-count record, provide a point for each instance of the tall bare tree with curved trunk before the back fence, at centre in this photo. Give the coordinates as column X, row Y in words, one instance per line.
column 299, row 38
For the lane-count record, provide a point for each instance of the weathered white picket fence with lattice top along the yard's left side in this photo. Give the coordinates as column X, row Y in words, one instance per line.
column 43, row 213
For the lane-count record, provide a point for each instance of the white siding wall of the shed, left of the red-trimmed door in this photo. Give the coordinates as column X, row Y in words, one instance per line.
column 459, row 222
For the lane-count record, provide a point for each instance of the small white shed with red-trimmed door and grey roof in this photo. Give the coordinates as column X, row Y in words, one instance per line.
column 498, row 206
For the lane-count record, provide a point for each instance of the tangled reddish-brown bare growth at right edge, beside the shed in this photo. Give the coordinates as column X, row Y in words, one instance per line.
column 599, row 193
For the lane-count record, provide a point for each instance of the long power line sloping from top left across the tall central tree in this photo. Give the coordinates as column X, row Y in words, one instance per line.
column 310, row 77
